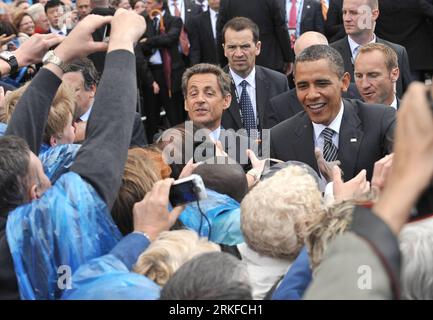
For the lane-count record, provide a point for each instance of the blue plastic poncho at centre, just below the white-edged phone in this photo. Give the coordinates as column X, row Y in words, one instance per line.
column 223, row 213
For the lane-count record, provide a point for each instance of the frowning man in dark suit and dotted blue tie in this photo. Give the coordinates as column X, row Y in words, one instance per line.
column 252, row 85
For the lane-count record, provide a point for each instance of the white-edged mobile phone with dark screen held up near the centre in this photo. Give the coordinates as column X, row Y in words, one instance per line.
column 189, row 189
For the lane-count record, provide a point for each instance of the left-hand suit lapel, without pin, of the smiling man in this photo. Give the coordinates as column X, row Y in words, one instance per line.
column 303, row 144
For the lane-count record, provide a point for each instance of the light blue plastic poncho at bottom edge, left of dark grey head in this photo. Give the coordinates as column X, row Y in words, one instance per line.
column 107, row 278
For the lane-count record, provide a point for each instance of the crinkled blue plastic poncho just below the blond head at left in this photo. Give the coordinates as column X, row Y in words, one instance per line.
column 57, row 160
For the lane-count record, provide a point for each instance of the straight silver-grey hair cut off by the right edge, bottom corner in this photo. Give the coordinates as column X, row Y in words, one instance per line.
column 416, row 243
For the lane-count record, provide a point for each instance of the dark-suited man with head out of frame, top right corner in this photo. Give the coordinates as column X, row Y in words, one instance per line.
column 409, row 23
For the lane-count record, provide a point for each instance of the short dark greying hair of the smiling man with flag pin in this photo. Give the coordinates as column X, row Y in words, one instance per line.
column 319, row 52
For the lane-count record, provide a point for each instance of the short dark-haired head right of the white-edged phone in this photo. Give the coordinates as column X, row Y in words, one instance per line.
column 226, row 179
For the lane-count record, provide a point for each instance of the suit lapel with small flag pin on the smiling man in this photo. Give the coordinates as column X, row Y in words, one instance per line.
column 350, row 139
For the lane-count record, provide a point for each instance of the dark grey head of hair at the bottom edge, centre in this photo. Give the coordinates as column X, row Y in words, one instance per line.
column 209, row 276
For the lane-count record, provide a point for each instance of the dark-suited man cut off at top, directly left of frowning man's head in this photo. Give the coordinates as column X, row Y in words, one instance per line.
column 202, row 35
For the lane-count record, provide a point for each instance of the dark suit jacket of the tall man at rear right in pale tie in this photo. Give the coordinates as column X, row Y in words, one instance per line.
column 404, row 79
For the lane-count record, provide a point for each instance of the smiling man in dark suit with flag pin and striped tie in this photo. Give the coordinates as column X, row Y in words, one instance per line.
column 355, row 133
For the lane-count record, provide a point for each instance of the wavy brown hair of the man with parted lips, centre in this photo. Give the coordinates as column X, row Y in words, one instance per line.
column 223, row 78
